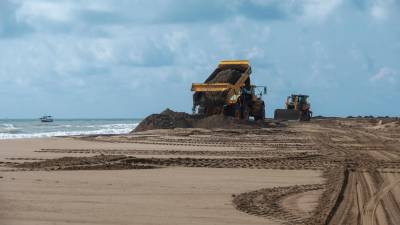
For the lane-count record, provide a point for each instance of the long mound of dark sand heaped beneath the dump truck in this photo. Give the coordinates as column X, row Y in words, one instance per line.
column 169, row 119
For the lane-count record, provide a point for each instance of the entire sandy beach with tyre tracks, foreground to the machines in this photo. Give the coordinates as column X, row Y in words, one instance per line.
column 305, row 173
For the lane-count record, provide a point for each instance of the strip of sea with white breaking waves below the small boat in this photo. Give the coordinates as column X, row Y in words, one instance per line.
column 34, row 128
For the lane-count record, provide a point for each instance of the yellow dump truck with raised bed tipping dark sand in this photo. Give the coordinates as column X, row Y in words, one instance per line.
column 228, row 91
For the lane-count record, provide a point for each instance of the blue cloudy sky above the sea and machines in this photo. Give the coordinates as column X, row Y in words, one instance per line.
column 131, row 58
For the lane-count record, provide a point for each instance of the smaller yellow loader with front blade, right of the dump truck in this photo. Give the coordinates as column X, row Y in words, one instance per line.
column 297, row 108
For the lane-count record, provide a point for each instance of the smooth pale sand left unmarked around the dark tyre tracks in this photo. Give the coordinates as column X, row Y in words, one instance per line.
column 176, row 195
